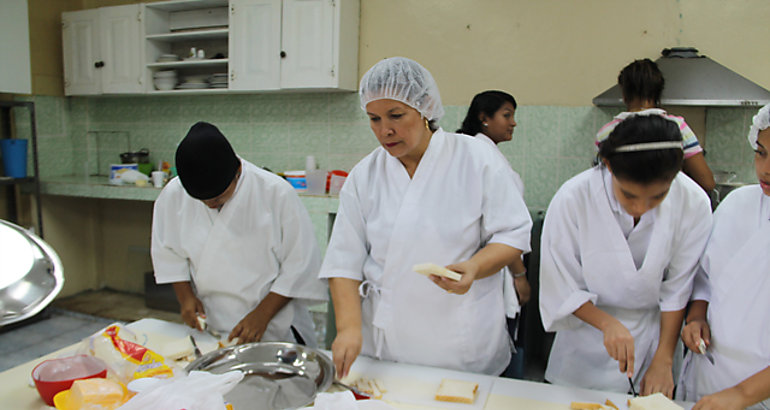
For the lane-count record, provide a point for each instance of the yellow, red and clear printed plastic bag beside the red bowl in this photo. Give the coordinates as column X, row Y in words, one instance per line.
column 125, row 359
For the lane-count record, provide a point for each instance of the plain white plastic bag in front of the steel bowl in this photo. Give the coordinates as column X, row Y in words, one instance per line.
column 196, row 391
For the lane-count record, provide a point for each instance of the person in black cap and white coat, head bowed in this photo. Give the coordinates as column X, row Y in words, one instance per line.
column 237, row 245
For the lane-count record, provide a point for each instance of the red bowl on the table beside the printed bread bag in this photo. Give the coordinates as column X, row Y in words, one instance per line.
column 55, row 375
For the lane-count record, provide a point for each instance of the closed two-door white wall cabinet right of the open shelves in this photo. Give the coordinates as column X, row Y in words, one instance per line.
column 294, row 44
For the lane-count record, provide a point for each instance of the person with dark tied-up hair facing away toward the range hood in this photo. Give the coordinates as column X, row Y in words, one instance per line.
column 642, row 84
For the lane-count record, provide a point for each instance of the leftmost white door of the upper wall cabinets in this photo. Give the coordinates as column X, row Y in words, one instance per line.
column 80, row 48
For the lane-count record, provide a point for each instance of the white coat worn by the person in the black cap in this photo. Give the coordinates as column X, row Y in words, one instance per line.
column 260, row 241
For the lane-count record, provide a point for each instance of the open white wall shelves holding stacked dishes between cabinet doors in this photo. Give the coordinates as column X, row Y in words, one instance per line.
column 186, row 46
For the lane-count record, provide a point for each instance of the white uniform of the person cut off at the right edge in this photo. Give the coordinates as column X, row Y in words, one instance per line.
column 734, row 277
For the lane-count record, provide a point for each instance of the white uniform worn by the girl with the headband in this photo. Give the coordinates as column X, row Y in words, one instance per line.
column 591, row 251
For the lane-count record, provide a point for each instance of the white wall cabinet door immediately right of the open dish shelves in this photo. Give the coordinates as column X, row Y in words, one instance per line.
column 255, row 27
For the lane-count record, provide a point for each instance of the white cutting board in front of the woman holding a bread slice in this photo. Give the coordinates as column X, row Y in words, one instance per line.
column 417, row 385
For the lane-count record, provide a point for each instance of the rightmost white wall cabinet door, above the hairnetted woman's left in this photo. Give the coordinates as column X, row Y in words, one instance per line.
column 308, row 33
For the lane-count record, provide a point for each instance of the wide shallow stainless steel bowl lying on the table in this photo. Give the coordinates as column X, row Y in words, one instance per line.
column 276, row 375
